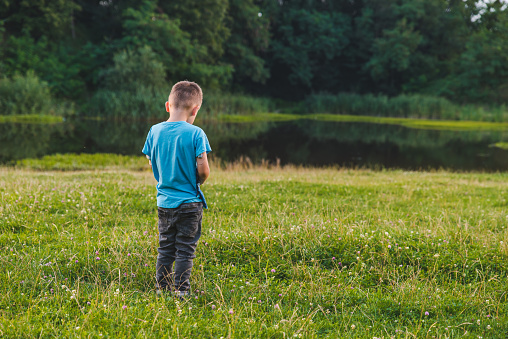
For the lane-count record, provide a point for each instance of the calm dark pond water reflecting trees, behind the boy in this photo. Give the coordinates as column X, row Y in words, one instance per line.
column 305, row 142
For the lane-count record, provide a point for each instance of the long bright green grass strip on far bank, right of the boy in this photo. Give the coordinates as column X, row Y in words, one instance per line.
column 453, row 125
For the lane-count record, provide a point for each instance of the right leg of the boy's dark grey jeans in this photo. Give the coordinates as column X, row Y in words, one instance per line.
column 188, row 219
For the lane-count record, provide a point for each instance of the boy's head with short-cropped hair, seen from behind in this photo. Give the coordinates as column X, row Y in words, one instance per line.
column 185, row 96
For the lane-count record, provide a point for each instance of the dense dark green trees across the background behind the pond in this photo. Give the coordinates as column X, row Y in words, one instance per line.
column 90, row 50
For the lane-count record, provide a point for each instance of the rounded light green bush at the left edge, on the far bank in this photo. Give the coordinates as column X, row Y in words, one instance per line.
column 28, row 95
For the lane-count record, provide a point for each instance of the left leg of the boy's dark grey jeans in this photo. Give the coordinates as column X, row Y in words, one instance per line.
column 167, row 248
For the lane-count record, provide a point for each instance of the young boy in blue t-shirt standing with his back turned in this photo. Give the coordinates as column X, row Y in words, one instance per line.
column 177, row 153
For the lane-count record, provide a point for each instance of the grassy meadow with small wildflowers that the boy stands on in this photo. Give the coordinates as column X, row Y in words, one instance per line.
column 285, row 252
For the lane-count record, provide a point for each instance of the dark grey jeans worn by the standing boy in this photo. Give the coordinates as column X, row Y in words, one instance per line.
column 179, row 232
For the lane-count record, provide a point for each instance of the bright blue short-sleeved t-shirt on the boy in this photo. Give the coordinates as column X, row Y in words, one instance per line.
column 172, row 148
